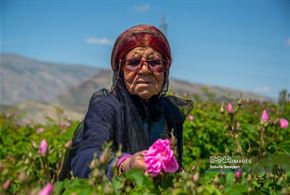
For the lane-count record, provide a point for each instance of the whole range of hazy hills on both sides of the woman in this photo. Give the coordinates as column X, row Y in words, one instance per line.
column 32, row 86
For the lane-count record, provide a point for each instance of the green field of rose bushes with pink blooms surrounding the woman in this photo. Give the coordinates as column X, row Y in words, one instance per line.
column 235, row 147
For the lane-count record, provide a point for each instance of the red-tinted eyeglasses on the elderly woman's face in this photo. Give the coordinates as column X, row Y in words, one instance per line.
column 154, row 65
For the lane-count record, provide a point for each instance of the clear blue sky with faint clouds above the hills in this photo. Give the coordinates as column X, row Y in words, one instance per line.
column 240, row 44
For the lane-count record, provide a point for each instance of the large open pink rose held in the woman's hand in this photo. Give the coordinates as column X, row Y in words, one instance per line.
column 160, row 157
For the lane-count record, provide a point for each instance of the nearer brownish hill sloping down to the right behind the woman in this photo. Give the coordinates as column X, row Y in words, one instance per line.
column 78, row 97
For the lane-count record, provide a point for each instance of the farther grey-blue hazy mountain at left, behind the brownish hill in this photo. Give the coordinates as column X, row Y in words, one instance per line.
column 23, row 79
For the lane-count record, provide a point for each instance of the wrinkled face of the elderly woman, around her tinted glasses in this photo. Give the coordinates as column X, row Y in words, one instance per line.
column 143, row 82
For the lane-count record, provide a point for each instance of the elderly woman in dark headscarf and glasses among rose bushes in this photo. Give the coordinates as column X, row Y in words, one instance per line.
column 136, row 112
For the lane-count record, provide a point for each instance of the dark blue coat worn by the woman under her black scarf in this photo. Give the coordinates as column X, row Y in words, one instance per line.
column 104, row 122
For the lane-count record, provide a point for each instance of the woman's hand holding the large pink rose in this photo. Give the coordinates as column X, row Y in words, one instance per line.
column 134, row 162
